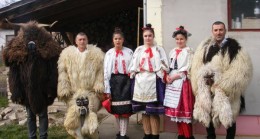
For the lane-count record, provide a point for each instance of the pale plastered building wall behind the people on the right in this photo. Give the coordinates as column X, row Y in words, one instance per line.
column 197, row 17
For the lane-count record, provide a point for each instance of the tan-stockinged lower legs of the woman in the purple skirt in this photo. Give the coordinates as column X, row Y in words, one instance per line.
column 151, row 124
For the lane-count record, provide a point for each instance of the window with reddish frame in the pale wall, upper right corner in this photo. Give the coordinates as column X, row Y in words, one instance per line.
column 244, row 15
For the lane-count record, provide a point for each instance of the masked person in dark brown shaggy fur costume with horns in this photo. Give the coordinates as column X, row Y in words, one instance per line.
column 32, row 58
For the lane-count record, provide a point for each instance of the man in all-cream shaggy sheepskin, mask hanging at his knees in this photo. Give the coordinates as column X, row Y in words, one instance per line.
column 80, row 83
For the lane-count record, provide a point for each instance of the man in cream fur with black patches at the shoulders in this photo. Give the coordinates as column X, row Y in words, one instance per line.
column 220, row 73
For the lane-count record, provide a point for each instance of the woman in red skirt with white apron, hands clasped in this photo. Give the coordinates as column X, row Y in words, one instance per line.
column 179, row 100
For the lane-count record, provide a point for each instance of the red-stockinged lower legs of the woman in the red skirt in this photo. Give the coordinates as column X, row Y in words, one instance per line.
column 184, row 129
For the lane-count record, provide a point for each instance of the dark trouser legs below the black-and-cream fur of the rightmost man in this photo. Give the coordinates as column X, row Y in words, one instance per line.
column 231, row 132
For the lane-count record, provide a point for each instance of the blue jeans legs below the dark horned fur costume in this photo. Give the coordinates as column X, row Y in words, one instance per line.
column 43, row 123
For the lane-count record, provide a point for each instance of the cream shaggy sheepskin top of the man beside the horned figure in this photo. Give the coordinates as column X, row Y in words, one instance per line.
column 80, row 71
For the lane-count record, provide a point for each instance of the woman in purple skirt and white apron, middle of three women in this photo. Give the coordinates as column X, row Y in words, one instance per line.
column 148, row 66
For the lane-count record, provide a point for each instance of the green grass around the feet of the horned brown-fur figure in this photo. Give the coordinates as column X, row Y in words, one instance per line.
column 20, row 132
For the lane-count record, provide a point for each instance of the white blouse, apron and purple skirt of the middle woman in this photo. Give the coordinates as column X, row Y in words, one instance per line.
column 148, row 66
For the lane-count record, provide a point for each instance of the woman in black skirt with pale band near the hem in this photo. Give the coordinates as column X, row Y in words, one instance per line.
column 117, row 81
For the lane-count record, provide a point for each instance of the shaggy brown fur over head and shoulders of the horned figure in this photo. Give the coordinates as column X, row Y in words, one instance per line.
column 17, row 51
